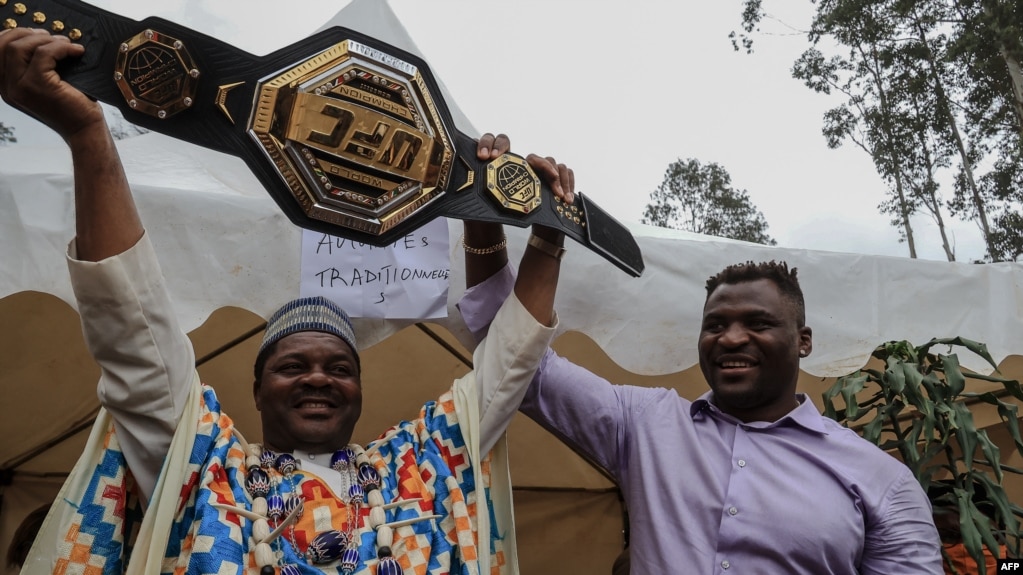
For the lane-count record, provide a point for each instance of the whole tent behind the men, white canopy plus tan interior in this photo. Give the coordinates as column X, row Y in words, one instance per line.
column 232, row 258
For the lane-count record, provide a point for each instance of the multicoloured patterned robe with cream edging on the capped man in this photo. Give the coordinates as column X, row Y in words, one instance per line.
column 98, row 519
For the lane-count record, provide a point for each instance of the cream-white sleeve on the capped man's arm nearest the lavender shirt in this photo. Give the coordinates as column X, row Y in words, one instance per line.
column 505, row 364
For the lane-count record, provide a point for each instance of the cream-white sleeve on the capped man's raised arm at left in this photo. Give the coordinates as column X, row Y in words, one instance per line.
column 147, row 362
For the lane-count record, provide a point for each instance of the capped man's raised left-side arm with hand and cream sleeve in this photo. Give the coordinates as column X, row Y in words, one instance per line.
column 147, row 362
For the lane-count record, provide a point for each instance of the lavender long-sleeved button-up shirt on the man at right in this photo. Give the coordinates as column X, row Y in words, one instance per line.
column 708, row 494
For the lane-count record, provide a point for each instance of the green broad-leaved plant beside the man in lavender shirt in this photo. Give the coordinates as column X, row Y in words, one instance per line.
column 919, row 412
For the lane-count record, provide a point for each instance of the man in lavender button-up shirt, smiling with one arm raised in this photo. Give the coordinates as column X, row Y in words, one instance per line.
column 750, row 478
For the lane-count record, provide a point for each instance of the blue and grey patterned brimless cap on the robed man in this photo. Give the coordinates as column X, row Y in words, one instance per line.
column 309, row 315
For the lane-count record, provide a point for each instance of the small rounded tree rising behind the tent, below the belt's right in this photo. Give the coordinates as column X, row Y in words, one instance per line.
column 700, row 199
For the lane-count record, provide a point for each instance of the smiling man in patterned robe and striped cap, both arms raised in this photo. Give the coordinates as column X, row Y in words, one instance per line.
column 168, row 484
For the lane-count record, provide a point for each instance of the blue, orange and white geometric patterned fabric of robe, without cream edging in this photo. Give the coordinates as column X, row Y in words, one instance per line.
column 424, row 459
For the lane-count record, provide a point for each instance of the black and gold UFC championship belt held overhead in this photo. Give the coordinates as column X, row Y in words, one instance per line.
column 350, row 136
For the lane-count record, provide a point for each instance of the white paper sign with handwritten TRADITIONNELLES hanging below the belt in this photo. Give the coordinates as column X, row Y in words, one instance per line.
column 407, row 280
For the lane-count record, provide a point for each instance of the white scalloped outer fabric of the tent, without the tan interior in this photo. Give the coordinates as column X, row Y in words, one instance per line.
column 225, row 243
